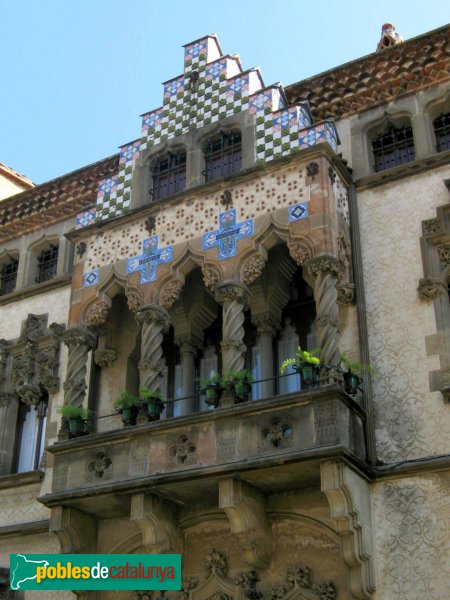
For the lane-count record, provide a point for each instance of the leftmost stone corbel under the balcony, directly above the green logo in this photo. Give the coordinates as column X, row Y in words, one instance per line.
column 76, row 531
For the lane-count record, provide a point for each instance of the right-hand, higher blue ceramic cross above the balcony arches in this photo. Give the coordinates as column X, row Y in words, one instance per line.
column 228, row 233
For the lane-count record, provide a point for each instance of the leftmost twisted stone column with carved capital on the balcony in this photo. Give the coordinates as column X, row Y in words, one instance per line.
column 80, row 341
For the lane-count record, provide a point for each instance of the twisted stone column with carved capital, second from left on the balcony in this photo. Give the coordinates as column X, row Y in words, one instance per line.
column 155, row 322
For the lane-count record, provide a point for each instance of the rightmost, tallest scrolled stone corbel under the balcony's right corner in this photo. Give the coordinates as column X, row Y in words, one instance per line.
column 348, row 495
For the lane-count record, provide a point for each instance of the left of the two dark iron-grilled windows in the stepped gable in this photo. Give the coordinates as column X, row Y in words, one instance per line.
column 169, row 175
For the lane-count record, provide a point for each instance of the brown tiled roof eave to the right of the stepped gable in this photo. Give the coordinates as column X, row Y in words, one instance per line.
column 377, row 78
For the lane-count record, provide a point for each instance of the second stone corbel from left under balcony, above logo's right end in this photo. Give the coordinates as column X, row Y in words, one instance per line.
column 156, row 520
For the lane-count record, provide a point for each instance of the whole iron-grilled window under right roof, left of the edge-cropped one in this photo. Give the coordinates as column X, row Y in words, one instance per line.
column 393, row 147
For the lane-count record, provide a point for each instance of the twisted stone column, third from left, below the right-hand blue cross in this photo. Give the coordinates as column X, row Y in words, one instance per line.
column 235, row 298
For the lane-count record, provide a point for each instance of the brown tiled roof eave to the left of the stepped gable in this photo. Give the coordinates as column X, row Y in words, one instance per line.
column 53, row 201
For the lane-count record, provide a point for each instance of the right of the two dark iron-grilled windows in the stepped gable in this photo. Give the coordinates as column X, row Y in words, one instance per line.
column 223, row 156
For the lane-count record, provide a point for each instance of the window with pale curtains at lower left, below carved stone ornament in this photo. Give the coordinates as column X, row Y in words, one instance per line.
column 31, row 433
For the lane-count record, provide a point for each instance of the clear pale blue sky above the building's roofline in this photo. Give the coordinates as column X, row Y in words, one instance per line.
column 76, row 74
